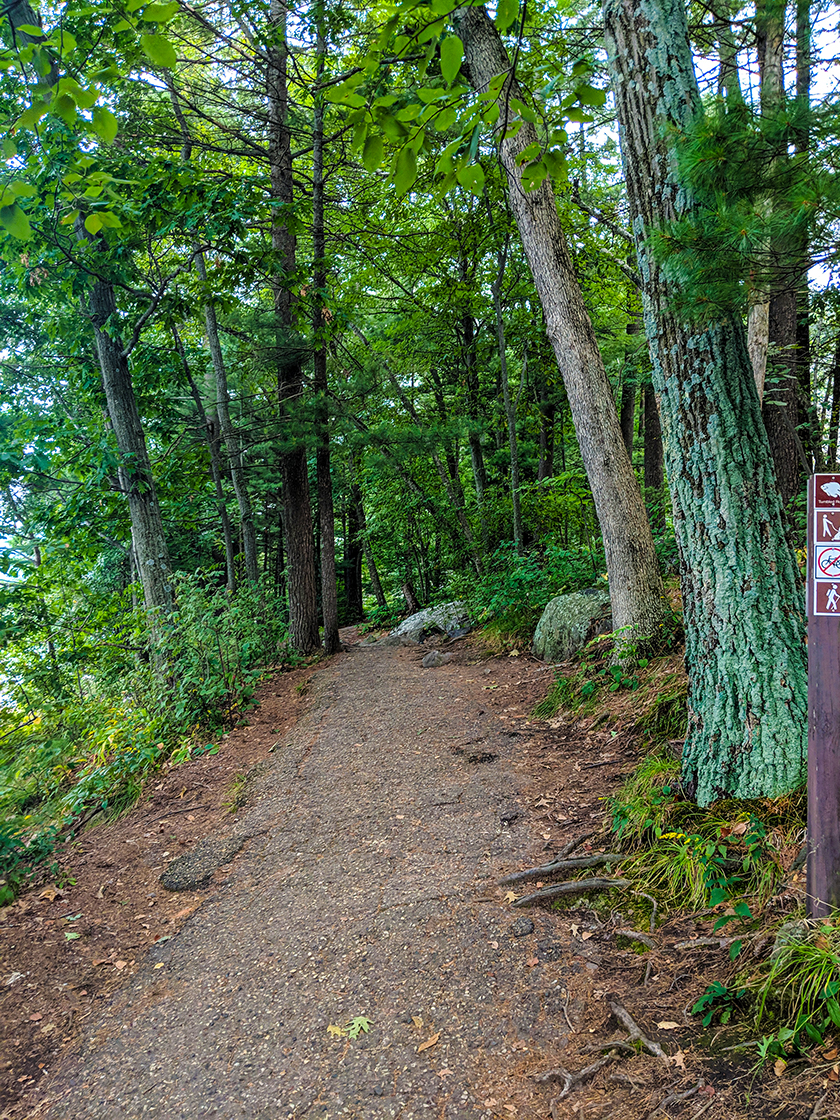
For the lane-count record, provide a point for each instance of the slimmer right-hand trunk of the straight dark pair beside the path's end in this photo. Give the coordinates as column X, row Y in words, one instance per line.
column 326, row 512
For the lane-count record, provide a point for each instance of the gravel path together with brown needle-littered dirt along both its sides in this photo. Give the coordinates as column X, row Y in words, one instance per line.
column 371, row 809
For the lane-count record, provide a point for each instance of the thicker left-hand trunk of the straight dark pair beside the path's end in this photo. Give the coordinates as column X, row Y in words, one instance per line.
column 297, row 509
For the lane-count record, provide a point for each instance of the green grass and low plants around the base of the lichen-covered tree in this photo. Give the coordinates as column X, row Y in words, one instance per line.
column 738, row 865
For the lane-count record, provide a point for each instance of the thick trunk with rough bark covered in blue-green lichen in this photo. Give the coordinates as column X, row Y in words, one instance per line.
column 742, row 591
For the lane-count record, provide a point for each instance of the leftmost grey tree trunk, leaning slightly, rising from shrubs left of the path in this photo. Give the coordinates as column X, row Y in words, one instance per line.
column 147, row 527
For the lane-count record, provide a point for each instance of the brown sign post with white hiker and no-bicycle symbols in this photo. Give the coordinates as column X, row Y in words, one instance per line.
column 824, row 695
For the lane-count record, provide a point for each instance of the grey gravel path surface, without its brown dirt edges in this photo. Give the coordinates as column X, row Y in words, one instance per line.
column 369, row 888
